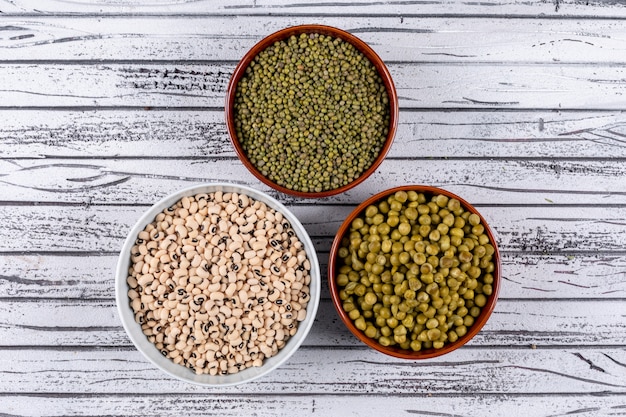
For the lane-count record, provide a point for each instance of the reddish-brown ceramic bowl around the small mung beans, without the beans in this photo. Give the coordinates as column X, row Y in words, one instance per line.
column 329, row 31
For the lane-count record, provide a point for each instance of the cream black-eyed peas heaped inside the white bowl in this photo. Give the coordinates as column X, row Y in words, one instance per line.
column 219, row 282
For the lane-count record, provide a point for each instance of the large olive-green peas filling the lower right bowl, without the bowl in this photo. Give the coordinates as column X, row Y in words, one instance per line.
column 422, row 284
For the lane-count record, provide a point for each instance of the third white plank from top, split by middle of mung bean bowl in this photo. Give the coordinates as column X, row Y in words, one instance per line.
column 423, row 85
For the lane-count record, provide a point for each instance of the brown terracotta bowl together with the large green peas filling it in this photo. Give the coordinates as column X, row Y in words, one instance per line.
column 414, row 272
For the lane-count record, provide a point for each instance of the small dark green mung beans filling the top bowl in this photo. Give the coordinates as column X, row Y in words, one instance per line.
column 311, row 113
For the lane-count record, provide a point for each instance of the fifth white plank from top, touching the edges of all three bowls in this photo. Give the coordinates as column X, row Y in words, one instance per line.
column 519, row 181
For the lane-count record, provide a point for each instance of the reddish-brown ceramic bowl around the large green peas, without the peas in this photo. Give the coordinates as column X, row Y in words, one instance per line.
column 333, row 266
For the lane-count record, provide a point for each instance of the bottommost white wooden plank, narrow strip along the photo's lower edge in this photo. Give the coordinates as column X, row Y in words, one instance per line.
column 203, row 404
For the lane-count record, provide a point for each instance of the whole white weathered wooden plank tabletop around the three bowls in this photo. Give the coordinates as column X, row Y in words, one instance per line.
column 519, row 107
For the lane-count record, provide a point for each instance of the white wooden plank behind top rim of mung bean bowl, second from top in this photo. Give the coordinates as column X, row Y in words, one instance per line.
column 222, row 38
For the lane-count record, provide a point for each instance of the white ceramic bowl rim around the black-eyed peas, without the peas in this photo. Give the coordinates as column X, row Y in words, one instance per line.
column 149, row 350
